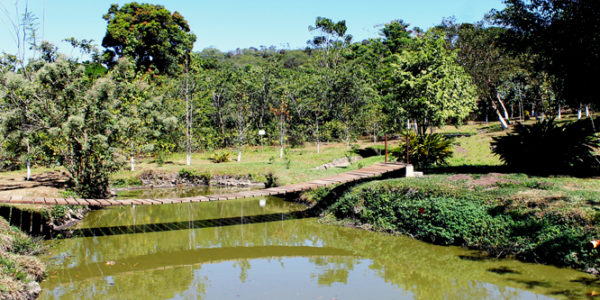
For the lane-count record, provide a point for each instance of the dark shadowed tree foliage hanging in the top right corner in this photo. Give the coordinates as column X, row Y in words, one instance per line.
column 563, row 36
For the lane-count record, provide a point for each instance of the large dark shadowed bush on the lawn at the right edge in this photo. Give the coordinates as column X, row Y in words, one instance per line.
column 546, row 147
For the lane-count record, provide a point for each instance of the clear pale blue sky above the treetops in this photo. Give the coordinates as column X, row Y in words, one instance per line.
column 227, row 25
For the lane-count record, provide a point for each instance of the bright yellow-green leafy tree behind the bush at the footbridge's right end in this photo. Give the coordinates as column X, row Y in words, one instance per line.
column 428, row 85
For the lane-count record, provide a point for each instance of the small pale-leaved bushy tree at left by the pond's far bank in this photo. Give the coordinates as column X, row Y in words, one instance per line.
column 74, row 120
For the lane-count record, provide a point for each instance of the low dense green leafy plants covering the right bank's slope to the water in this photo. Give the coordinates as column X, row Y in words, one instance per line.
column 471, row 222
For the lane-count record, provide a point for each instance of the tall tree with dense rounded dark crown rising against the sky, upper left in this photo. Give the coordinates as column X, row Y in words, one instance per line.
column 150, row 35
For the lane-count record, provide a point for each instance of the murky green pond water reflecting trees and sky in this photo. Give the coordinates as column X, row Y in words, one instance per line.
column 239, row 249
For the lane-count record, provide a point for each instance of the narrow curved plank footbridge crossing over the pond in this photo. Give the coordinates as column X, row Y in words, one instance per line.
column 375, row 170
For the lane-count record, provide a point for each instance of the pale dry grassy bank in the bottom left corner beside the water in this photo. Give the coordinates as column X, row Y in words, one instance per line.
column 20, row 270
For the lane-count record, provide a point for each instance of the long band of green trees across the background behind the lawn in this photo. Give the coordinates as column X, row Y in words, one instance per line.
column 148, row 94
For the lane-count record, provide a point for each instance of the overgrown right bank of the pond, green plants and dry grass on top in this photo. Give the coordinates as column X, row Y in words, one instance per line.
column 543, row 220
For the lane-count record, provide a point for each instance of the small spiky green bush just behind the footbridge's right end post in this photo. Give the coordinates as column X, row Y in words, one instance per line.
column 424, row 150
